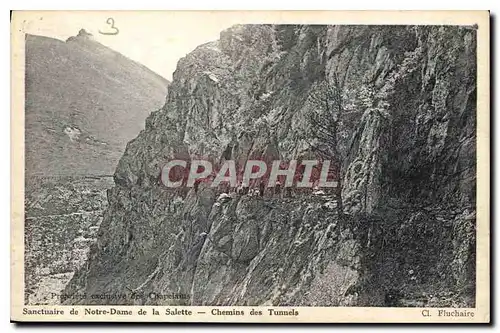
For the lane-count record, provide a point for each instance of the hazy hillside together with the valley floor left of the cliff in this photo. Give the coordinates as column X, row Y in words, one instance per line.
column 84, row 101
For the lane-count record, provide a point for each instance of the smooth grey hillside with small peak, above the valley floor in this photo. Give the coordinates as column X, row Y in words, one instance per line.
column 83, row 103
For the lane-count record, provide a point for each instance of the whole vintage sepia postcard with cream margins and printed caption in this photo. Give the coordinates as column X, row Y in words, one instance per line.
column 218, row 166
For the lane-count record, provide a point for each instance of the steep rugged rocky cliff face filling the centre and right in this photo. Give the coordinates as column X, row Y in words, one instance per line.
column 407, row 236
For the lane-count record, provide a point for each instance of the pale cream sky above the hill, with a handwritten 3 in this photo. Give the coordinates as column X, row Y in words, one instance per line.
column 155, row 39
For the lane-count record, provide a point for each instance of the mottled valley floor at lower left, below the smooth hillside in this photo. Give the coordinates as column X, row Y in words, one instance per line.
column 61, row 222
